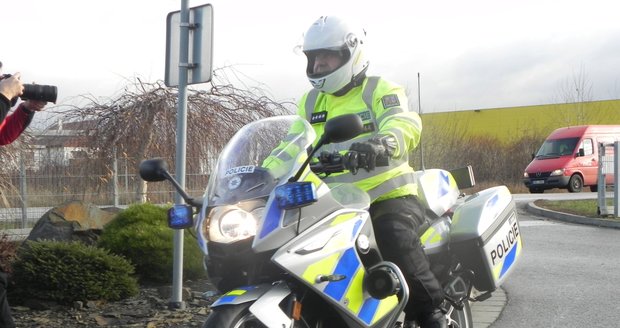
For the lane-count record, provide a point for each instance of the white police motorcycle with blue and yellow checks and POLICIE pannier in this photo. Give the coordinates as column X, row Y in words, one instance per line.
column 288, row 250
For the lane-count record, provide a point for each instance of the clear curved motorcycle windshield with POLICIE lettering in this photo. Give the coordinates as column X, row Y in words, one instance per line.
column 259, row 157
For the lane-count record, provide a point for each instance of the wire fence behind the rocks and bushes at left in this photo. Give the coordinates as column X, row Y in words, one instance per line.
column 27, row 193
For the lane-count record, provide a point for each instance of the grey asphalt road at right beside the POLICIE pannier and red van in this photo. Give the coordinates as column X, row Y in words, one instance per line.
column 565, row 278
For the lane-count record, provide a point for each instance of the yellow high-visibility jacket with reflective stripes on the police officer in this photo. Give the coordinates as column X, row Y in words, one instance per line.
column 383, row 107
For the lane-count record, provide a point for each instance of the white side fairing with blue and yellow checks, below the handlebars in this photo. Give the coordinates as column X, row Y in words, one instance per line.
column 332, row 252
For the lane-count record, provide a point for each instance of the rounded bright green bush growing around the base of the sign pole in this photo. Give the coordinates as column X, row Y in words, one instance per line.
column 141, row 234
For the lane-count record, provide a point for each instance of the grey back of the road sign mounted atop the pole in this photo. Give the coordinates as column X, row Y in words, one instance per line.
column 200, row 45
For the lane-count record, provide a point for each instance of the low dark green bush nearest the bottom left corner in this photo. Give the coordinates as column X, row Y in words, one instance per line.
column 71, row 271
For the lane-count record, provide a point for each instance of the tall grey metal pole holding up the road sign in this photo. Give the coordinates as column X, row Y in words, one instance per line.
column 176, row 301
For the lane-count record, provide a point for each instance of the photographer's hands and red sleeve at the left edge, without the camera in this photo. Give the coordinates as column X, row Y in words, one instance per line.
column 12, row 126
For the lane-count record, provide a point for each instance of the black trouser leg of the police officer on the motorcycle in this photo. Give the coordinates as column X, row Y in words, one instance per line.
column 396, row 222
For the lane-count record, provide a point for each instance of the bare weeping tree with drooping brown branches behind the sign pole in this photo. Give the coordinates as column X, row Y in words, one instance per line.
column 140, row 123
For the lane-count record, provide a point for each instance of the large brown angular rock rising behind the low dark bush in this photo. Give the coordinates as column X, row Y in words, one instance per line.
column 72, row 221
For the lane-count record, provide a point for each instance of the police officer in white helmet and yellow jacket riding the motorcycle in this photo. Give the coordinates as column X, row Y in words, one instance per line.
column 337, row 71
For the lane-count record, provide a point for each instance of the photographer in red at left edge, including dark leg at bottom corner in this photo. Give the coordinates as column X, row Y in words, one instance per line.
column 11, row 127
